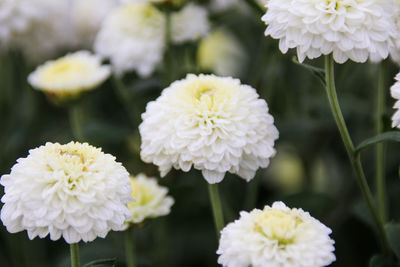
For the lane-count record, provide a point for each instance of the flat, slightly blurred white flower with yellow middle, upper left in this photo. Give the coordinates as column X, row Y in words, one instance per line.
column 70, row 75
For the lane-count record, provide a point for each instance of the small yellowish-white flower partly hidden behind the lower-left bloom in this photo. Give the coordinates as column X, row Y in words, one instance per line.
column 151, row 199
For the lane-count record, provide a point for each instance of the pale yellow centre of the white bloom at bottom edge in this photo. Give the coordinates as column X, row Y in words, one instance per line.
column 278, row 225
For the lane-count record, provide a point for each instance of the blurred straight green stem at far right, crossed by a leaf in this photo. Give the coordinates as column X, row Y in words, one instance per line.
column 380, row 148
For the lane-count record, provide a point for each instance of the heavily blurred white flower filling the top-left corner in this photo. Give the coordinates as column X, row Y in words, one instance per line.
column 40, row 28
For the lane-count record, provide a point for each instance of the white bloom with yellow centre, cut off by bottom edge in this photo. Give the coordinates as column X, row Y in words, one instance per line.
column 276, row 237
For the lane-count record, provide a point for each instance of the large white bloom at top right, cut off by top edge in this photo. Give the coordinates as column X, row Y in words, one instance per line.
column 348, row 29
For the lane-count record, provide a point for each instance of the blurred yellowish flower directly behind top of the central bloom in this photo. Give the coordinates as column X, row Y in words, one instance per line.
column 221, row 53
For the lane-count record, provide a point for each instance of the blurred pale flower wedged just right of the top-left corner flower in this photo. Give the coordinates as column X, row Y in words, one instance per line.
column 87, row 17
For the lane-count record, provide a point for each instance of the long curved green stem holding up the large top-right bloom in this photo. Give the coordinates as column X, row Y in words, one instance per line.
column 348, row 143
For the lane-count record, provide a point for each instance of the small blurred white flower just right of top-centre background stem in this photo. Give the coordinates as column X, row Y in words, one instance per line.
column 189, row 24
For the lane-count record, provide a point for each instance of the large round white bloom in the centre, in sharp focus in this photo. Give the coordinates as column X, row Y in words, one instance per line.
column 212, row 123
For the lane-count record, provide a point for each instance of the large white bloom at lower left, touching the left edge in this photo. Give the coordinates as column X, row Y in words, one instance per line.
column 73, row 190
